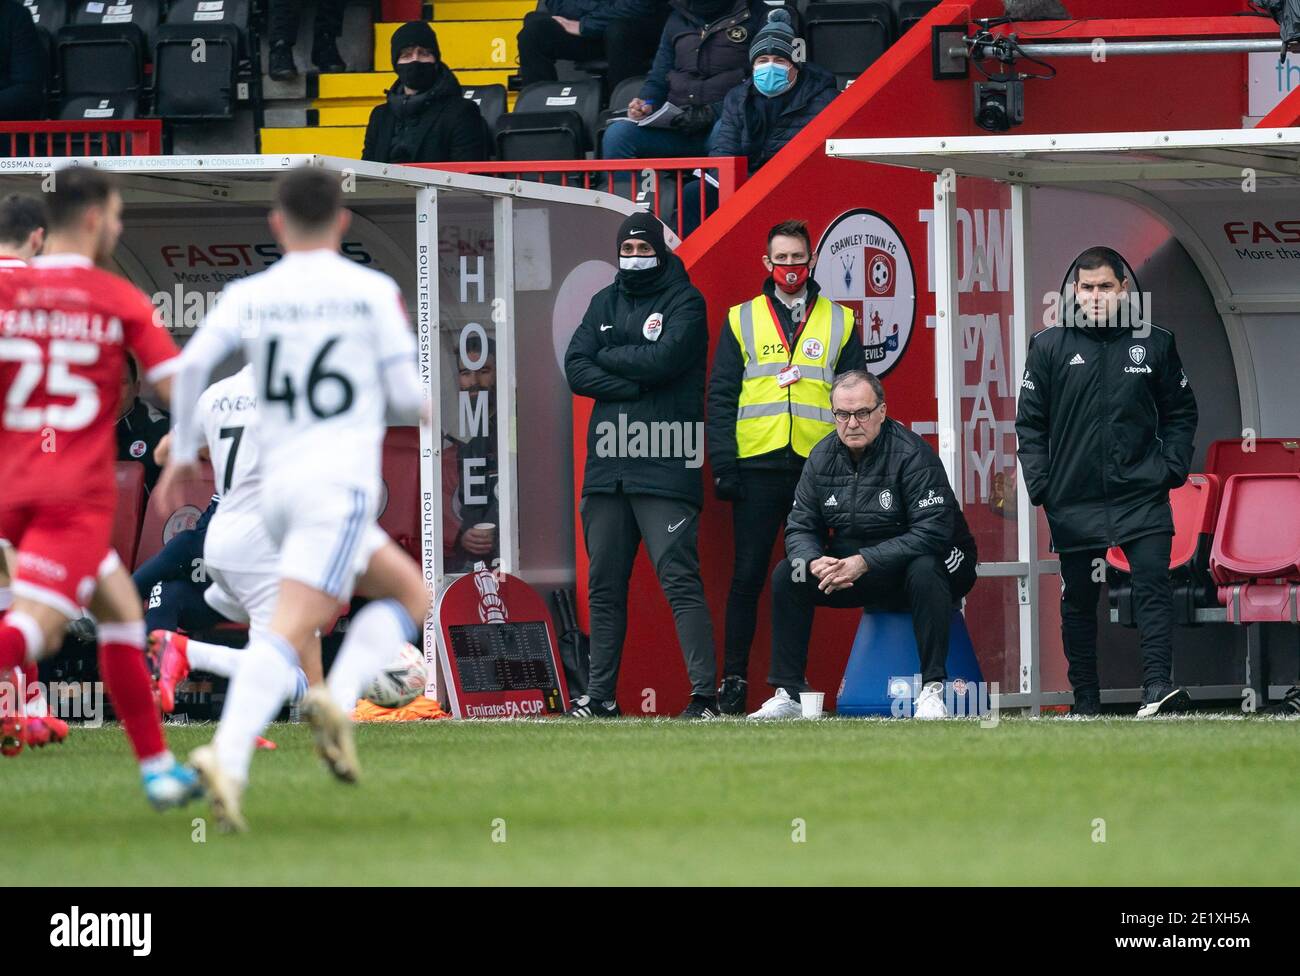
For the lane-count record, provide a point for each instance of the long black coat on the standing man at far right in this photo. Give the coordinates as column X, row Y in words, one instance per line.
column 1106, row 426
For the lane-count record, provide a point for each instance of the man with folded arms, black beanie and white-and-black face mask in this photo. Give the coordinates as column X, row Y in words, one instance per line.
column 642, row 353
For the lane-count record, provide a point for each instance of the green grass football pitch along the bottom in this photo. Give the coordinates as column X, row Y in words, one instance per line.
column 1184, row 801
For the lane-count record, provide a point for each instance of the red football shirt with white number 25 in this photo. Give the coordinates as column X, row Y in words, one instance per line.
column 66, row 327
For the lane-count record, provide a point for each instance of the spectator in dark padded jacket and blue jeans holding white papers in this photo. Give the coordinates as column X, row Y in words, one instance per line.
column 704, row 54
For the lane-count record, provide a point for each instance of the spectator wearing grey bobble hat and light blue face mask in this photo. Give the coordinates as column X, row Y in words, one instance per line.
column 766, row 111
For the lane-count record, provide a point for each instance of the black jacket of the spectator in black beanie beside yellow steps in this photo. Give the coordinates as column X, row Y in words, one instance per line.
column 439, row 125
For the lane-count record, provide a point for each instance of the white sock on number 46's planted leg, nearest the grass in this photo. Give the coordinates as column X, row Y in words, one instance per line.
column 258, row 691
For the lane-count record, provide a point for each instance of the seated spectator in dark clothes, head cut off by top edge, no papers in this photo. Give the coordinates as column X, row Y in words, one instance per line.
column 625, row 33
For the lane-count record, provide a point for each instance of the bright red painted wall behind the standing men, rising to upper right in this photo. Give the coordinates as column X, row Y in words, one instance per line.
column 898, row 98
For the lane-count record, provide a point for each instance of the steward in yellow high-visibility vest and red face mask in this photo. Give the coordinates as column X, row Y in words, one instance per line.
column 769, row 405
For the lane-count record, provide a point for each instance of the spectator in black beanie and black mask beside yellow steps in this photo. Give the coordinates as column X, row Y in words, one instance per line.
column 427, row 118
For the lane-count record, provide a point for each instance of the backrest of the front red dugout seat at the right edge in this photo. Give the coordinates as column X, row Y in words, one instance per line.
column 1259, row 530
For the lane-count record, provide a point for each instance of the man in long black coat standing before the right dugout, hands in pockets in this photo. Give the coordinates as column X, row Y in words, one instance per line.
column 1106, row 424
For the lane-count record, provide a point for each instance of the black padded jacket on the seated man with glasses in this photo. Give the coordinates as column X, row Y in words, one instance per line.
column 890, row 507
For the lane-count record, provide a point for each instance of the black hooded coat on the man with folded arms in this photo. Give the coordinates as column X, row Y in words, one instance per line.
column 639, row 383
